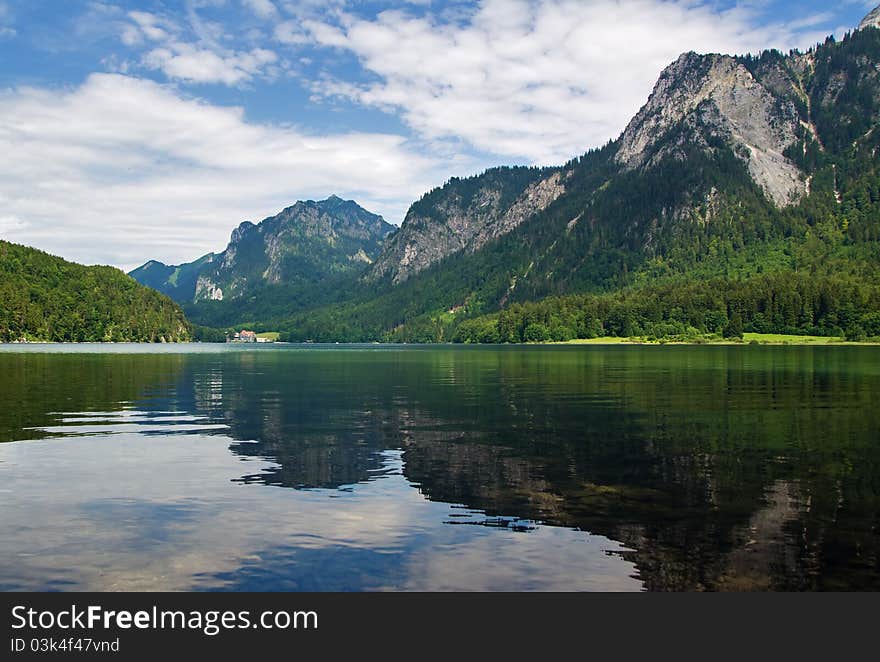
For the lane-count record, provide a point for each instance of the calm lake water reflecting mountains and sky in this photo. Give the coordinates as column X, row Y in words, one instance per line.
column 202, row 467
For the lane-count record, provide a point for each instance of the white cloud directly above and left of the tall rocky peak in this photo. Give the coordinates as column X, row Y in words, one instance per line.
column 536, row 79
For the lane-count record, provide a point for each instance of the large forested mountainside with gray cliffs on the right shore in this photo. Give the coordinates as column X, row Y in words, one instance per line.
column 672, row 207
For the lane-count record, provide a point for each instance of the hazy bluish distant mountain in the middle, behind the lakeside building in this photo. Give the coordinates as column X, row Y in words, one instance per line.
column 305, row 243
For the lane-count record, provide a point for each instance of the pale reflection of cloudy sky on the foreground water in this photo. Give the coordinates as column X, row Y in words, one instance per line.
column 125, row 530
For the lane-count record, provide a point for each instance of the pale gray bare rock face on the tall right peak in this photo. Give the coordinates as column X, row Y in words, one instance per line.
column 717, row 95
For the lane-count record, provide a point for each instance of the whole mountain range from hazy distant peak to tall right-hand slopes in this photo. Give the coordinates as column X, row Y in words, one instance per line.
column 740, row 173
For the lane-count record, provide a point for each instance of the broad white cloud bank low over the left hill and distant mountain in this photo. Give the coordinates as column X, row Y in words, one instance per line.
column 121, row 169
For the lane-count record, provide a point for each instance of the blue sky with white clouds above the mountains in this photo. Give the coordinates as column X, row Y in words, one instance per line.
column 149, row 129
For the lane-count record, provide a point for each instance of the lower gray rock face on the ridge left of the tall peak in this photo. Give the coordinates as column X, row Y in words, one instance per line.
column 455, row 223
